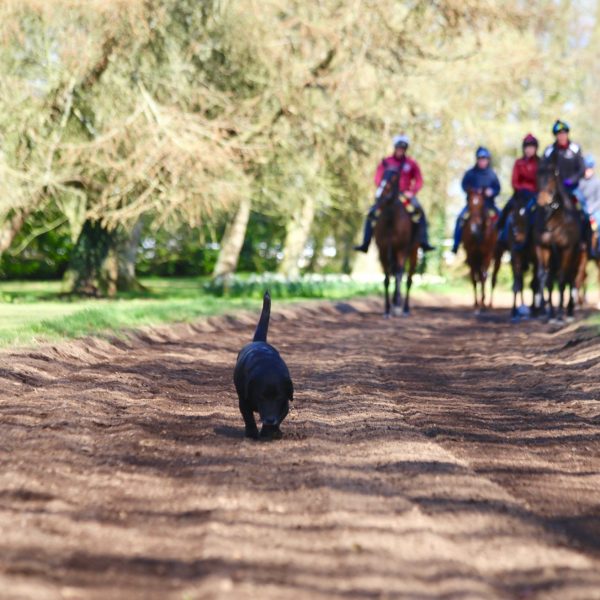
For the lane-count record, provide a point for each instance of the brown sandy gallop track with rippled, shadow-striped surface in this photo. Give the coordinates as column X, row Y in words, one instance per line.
column 433, row 457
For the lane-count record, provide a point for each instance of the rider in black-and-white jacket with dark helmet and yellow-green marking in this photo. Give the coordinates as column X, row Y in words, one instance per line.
column 571, row 168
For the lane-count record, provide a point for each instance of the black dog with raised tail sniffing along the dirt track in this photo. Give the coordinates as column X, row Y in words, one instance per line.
column 262, row 381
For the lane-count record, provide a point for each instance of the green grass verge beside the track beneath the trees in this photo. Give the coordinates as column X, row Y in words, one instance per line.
column 34, row 312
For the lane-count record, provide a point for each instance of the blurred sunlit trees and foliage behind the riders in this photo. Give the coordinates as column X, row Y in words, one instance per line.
column 199, row 137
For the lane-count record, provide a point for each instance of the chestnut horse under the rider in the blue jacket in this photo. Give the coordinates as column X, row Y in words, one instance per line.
column 479, row 239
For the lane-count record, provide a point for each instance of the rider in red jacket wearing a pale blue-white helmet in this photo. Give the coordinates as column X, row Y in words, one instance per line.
column 410, row 184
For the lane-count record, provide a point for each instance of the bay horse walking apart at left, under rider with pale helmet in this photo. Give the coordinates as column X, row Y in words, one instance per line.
column 397, row 241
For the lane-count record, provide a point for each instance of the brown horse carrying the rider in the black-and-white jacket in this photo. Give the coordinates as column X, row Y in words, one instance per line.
column 557, row 238
